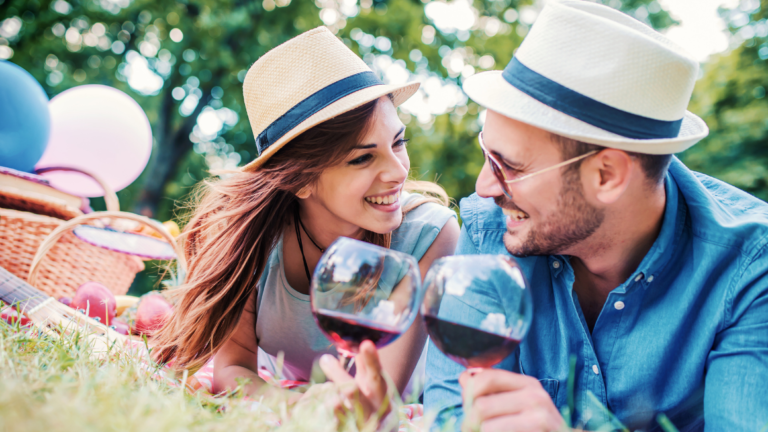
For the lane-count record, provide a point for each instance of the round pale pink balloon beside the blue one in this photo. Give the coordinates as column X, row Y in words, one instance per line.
column 100, row 130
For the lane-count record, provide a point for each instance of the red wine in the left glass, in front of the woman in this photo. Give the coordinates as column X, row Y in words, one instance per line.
column 347, row 332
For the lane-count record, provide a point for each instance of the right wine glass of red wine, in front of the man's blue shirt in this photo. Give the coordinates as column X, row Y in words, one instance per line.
column 477, row 308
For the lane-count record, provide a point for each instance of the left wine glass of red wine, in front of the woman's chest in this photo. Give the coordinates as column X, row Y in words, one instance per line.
column 361, row 291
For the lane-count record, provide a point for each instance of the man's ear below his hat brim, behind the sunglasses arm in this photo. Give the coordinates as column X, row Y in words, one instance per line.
column 607, row 174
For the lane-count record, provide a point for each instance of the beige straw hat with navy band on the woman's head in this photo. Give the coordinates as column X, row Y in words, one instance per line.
column 304, row 82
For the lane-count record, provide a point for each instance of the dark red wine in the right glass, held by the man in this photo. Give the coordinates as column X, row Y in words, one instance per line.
column 469, row 346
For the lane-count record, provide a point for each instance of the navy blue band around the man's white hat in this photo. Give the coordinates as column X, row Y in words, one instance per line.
column 585, row 108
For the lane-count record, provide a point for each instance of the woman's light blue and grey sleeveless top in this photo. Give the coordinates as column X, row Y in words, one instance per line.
column 285, row 322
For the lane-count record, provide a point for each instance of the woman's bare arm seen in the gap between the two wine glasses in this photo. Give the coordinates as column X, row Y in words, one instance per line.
column 400, row 358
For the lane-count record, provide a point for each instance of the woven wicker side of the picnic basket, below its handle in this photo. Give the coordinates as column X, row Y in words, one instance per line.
column 70, row 262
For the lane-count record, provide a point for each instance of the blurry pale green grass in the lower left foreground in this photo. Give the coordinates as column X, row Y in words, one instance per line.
column 52, row 384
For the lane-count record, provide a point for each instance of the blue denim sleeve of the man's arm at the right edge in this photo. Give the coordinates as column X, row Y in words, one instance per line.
column 736, row 386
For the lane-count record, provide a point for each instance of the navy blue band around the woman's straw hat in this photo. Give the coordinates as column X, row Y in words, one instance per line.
column 312, row 105
